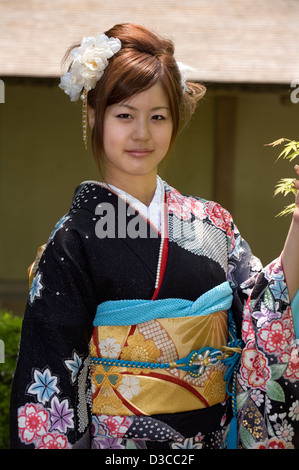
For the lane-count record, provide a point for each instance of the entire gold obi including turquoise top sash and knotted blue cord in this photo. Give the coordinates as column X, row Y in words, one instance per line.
column 180, row 357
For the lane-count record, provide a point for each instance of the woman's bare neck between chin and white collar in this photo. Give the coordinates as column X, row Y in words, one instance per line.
column 142, row 188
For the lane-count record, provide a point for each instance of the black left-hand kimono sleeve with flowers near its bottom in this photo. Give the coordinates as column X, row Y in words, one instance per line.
column 51, row 396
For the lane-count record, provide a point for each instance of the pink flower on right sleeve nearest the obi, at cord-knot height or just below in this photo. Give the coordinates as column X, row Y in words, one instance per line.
column 254, row 368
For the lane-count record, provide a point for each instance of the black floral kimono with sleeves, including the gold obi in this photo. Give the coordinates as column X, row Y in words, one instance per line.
column 129, row 333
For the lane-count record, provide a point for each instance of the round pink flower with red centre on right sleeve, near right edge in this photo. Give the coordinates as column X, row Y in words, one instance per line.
column 276, row 336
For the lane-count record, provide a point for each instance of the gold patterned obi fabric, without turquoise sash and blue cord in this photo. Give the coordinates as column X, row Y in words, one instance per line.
column 119, row 390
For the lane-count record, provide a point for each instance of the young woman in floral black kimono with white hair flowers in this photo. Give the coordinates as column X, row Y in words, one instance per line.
column 148, row 315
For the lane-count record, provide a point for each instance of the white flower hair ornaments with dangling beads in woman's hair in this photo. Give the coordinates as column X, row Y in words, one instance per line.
column 89, row 62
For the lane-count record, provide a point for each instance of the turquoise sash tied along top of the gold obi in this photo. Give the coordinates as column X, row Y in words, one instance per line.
column 132, row 312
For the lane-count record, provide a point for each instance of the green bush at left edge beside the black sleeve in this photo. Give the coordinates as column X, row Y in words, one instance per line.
column 10, row 332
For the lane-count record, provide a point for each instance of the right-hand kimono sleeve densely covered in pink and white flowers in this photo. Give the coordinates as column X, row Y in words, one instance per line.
column 268, row 376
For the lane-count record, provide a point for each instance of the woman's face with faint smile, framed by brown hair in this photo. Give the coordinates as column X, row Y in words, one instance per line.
column 136, row 134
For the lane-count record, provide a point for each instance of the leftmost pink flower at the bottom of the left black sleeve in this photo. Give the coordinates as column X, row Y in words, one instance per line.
column 33, row 422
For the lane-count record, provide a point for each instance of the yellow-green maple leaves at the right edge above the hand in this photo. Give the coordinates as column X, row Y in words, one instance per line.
column 285, row 185
